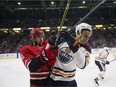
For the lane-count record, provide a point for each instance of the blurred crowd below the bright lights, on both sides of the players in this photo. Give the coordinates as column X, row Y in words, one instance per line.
column 11, row 42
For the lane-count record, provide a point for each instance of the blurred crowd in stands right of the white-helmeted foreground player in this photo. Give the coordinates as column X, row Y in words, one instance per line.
column 103, row 38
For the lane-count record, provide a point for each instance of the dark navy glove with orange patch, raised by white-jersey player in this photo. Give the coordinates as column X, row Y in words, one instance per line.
column 72, row 42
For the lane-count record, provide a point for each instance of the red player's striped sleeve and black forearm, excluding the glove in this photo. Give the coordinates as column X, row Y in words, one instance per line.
column 31, row 63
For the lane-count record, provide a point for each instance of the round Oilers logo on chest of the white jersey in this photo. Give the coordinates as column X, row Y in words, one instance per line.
column 65, row 55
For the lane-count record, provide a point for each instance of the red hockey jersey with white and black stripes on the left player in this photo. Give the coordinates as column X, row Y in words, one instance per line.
column 32, row 58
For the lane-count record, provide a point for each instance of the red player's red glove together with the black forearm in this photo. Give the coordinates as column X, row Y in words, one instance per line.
column 48, row 57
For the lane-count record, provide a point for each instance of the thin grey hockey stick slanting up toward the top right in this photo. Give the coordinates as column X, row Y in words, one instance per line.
column 91, row 11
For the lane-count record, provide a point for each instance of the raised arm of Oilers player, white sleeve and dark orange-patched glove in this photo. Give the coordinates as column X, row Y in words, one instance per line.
column 81, row 52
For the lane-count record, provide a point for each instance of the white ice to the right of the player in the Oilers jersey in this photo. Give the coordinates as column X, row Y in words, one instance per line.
column 85, row 77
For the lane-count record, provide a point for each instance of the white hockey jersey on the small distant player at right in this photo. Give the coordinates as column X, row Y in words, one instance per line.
column 102, row 57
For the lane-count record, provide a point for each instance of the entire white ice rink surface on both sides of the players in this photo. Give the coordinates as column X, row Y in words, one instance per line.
column 14, row 74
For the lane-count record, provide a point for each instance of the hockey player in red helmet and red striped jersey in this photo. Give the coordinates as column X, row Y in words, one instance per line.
column 38, row 58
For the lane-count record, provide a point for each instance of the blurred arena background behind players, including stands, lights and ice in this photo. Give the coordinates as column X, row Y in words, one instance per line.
column 19, row 17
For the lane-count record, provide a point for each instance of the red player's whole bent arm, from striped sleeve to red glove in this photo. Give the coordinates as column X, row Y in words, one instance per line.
column 33, row 64
